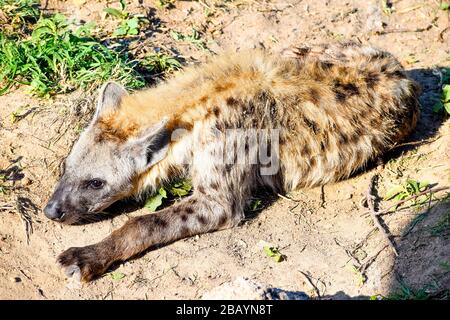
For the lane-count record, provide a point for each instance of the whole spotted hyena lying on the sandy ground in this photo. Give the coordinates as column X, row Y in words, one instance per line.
column 303, row 118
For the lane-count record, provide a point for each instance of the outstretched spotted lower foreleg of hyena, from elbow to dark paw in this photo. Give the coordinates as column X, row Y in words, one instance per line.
column 195, row 215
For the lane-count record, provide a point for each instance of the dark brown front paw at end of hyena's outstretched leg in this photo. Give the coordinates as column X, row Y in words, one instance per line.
column 82, row 264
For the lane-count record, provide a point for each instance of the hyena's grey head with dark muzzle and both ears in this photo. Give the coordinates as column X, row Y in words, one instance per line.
column 100, row 171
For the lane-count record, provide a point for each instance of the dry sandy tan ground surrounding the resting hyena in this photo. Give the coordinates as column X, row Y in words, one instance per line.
column 328, row 241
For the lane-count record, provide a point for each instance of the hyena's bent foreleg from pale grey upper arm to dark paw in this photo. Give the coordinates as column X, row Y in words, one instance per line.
column 220, row 192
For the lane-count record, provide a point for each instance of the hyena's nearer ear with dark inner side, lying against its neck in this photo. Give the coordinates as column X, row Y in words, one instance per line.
column 150, row 147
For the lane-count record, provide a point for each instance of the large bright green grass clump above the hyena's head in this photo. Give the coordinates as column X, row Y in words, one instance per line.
column 55, row 59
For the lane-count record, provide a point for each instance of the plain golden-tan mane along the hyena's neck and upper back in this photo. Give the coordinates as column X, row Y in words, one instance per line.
column 193, row 96
